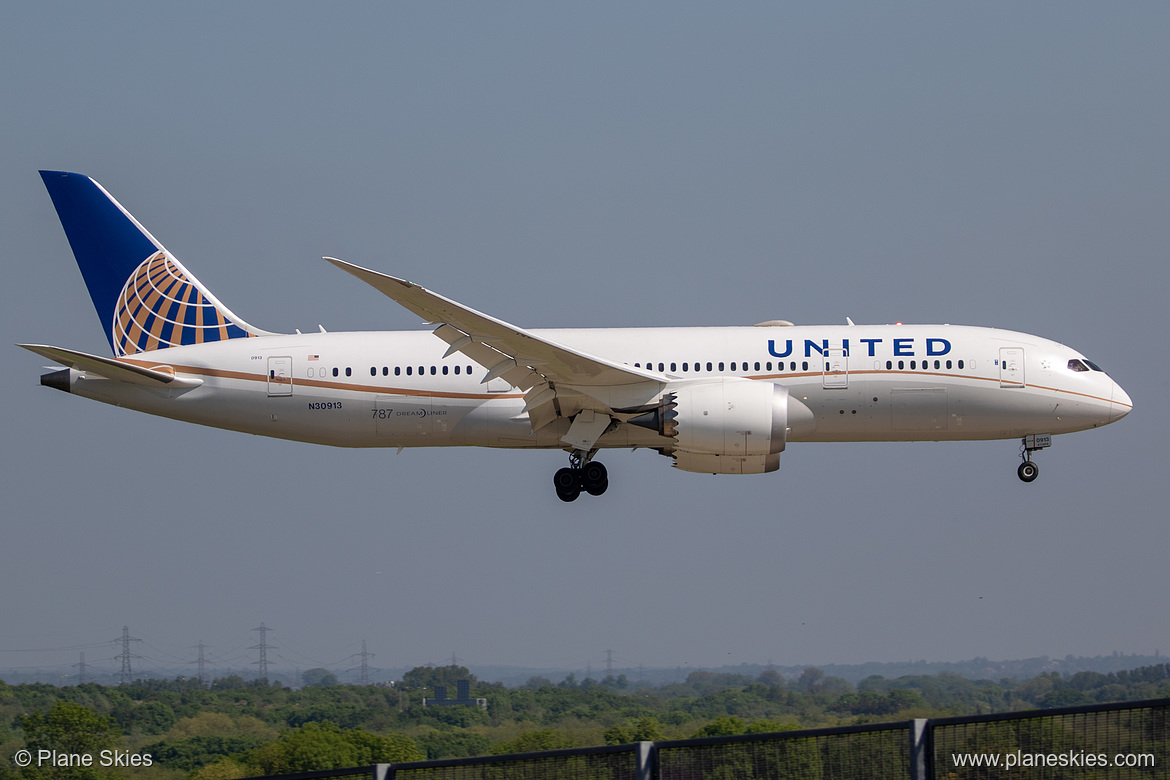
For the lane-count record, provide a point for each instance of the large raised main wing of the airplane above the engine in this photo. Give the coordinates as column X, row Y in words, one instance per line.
column 560, row 381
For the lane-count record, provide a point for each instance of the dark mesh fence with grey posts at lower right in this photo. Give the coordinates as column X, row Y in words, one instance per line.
column 1106, row 742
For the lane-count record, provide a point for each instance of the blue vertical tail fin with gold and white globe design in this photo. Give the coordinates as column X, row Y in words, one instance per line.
column 144, row 298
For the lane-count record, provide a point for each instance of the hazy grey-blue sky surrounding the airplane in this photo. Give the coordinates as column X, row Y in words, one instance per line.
column 611, row 164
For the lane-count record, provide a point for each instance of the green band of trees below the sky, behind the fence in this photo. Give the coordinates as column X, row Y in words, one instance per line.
column 237, row 728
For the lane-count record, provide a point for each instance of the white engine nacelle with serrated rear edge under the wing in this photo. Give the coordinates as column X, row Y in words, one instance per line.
column 726, row 426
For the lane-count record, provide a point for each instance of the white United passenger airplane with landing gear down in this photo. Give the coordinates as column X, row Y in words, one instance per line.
column 715, row 401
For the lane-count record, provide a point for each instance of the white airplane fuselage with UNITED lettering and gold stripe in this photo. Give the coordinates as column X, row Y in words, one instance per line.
column 862, row 383
